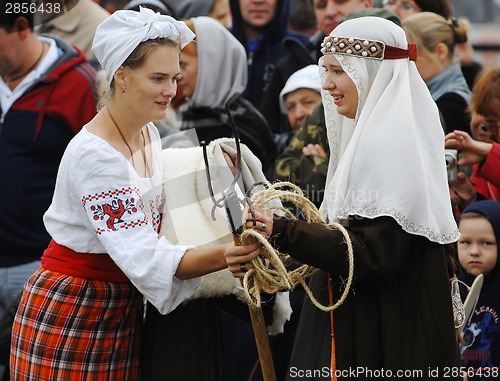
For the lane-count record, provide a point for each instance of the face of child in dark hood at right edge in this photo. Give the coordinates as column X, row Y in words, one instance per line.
column 477, row 246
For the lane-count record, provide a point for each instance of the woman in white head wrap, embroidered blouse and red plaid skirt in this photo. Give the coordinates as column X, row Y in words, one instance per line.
column 80, row 316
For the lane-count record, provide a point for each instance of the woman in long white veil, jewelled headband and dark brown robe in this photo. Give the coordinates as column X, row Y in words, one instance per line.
column 387, row 184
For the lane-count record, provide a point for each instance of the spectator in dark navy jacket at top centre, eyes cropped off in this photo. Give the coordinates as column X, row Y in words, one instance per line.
column 261, row 26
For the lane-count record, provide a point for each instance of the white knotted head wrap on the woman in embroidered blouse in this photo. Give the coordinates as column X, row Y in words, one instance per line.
column 117, row 36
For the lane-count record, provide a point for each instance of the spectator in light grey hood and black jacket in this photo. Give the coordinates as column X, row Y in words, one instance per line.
column 213, row 70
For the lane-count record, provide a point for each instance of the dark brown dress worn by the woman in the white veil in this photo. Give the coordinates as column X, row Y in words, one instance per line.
column 398, row 315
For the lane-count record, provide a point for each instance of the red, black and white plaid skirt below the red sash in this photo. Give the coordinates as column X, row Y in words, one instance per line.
column 71, row 328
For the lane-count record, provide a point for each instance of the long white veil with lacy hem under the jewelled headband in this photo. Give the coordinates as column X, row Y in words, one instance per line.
column 389, row 160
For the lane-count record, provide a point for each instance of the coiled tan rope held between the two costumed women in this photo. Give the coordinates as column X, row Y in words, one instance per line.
column 269, row 274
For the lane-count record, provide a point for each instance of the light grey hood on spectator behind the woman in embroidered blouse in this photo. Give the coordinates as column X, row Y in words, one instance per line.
column 222, row 64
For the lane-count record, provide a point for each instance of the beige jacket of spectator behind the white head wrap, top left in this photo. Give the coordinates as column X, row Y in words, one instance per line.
column 78, row 25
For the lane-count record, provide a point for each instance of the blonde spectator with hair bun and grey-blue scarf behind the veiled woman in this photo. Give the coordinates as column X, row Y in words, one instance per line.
column 436, row 39
